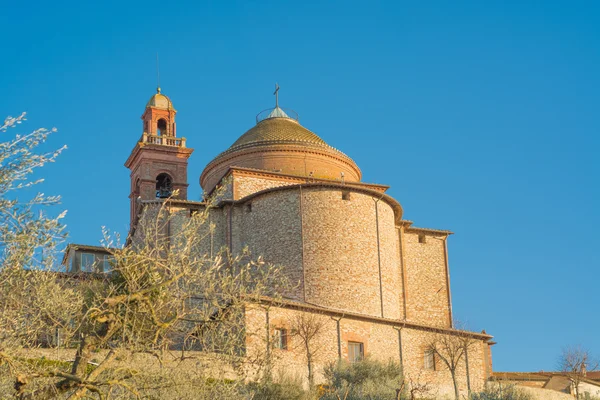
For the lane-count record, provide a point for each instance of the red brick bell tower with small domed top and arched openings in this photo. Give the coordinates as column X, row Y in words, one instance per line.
column 158, row 162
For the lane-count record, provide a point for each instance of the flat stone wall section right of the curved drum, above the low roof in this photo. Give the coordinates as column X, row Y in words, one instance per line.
column 427, row 291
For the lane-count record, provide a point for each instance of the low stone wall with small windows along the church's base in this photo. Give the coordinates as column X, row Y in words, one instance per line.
column 381, row 342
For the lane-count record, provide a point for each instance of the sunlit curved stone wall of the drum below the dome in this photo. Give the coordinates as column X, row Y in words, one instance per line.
column 348, row 245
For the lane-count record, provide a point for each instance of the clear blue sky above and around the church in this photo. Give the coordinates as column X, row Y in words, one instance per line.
column 482, row 116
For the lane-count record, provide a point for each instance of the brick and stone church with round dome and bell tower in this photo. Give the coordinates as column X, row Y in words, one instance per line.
column 380, row 283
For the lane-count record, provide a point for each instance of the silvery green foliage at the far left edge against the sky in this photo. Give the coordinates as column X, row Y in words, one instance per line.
column 34, row 303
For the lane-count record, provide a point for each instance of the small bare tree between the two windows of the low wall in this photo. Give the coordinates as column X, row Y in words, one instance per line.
column 308, row 327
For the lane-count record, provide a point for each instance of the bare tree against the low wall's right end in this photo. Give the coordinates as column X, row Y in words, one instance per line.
column 451, row 348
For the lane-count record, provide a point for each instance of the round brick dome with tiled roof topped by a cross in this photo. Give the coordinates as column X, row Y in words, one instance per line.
column 279, row 143
